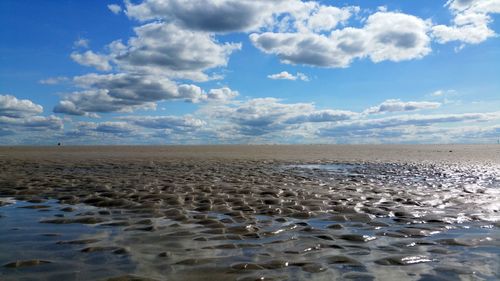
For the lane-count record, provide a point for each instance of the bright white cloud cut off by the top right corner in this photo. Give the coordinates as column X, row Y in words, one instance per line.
column 471, row 23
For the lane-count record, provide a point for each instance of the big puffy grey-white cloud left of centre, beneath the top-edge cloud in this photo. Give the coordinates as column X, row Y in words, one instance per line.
column 186, row 55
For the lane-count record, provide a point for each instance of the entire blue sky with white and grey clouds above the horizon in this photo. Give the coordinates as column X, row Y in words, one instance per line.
column 249, row 72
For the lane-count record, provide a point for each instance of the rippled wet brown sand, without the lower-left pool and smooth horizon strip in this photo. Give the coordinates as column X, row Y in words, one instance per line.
column 246, row 220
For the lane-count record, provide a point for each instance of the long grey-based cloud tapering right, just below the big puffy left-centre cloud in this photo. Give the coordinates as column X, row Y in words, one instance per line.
column 104, row 93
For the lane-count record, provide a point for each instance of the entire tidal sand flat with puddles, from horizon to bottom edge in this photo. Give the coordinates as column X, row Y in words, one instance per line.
column 250, row 212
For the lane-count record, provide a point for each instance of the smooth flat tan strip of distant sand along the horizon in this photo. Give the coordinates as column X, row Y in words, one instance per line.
column 453, row 153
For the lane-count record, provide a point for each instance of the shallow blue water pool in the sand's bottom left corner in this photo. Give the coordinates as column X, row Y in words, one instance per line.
column 32, row 250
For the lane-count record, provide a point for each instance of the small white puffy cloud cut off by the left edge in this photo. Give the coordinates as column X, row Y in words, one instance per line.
column 12, row 107
